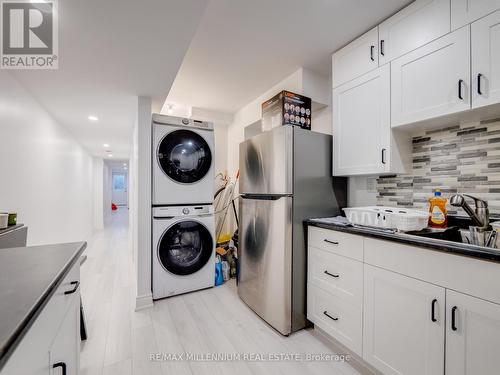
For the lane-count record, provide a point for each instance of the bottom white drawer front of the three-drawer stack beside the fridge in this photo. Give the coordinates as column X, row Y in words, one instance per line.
column 341, row 320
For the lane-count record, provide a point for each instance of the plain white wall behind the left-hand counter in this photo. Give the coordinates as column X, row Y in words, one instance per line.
column 45, row 175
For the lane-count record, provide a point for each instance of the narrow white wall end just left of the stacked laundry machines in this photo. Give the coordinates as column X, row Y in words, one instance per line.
column 140, row 207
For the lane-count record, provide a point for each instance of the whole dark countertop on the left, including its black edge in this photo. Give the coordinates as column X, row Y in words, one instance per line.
column 29, row 277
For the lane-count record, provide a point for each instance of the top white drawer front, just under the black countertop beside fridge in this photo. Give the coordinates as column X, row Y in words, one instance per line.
column 348, row 245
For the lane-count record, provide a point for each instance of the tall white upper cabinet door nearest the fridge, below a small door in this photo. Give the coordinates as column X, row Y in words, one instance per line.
column 361, row 128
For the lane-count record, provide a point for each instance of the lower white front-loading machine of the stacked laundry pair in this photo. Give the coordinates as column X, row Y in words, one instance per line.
column 183, row 249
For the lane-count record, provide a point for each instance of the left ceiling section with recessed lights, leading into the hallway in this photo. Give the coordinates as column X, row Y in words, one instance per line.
column 109, row 52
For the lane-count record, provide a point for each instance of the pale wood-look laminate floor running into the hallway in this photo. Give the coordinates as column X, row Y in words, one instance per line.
column 120, row 340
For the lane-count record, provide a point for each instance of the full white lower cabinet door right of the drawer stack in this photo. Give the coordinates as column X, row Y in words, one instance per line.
column 404, row 324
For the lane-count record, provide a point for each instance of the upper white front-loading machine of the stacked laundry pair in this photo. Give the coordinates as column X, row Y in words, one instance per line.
column 183, row 161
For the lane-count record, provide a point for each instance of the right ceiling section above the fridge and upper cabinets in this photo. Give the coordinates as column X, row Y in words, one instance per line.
column 242, row 48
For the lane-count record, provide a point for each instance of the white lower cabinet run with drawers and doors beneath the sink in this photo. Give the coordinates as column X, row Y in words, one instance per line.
column 397, row 308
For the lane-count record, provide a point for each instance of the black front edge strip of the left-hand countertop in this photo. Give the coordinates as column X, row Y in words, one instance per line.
column 29, row 319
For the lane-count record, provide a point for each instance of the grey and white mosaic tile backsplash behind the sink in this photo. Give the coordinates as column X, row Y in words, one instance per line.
column 457, row 159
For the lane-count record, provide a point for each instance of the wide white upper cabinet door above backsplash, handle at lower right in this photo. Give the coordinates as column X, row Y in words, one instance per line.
column 432, row 81
